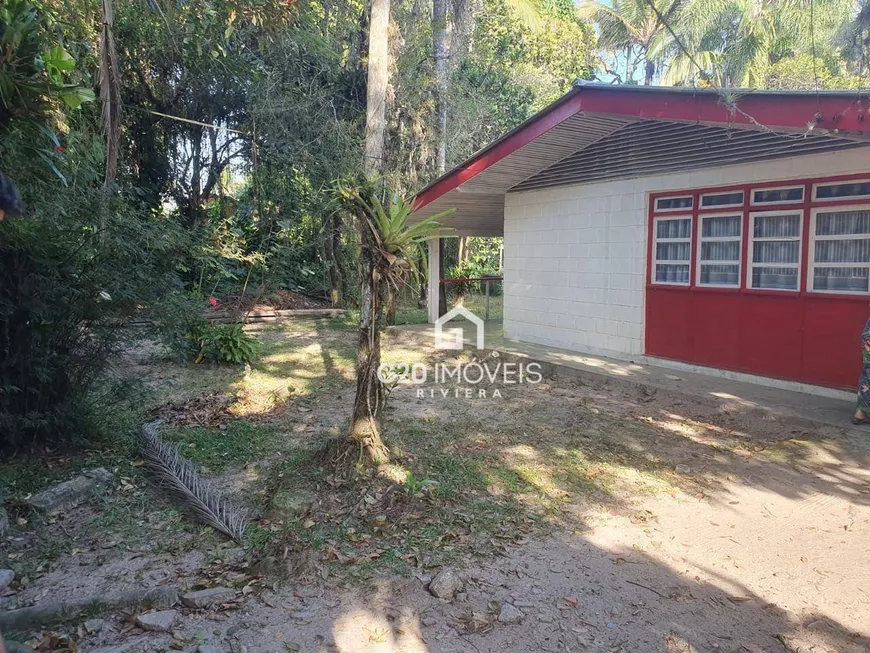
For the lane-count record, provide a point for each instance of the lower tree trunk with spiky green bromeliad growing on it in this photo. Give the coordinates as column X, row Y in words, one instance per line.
column 390, row 249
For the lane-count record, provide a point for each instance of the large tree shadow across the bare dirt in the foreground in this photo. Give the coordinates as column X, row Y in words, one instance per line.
column 571, row 595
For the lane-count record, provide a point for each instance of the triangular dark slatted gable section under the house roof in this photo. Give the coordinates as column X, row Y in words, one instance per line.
column 655, row 147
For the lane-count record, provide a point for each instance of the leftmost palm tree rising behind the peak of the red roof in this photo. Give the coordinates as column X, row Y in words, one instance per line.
column 631, row 29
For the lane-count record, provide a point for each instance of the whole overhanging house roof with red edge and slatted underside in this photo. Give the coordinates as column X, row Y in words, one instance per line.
column 602, row 132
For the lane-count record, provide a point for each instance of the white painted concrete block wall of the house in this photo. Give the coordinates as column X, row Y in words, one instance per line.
column 575, row 256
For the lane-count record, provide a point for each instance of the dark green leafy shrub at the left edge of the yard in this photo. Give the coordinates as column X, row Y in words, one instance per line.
column 61, row 303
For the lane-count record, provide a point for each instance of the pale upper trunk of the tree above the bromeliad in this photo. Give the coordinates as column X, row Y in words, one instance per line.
column 378, row 78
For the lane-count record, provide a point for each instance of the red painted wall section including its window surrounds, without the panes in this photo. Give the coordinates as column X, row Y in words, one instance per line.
column 802, row 336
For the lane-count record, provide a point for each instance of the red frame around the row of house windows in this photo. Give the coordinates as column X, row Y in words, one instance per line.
column 746, row 210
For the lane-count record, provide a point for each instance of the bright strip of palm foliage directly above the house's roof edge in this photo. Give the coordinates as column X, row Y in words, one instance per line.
column 735, row 43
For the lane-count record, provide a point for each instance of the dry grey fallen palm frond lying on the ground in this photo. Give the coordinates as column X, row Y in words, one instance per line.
column 179, row 476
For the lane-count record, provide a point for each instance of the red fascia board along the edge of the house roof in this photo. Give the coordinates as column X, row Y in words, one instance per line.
column 786, row 111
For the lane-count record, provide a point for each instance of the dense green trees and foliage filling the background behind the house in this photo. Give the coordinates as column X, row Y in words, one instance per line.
column 238, row 115
